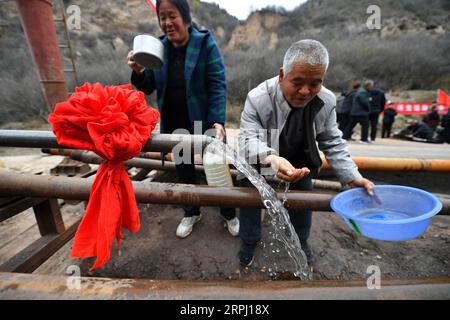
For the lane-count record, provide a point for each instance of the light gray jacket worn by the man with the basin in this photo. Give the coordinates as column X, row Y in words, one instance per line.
column 265, row 114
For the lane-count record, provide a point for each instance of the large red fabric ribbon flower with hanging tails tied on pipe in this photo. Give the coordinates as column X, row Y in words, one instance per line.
column 114, row 122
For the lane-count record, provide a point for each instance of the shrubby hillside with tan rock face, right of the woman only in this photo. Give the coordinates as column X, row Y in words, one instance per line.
column 409, row 52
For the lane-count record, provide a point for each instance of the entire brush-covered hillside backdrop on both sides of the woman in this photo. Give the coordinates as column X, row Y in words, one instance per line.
column 409, row 52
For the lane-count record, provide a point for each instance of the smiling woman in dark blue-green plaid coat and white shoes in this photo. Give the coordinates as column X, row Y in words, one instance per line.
column 190, row 86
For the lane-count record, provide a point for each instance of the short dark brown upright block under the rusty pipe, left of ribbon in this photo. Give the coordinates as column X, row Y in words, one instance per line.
column 49, row 218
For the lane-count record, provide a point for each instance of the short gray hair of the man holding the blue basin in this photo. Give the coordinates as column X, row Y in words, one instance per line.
column 307, row 51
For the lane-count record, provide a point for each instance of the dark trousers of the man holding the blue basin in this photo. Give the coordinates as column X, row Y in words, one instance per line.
column 250, row 218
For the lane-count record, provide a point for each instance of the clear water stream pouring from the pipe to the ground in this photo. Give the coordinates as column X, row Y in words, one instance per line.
column 284, row 231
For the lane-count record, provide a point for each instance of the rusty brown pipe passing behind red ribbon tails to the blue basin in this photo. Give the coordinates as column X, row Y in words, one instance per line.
column 14, row 184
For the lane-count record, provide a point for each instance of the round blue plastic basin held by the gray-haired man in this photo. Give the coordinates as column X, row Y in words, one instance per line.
column 396, row 213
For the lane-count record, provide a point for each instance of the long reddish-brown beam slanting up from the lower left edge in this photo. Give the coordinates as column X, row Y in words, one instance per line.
column 39, row 251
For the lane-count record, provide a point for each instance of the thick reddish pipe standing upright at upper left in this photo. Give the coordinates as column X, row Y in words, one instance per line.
column 36, row 17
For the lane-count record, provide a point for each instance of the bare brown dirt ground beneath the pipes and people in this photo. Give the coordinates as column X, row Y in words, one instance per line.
column 210, row 252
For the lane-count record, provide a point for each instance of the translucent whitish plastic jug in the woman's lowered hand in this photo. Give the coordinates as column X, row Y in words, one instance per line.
column 217, row 170
